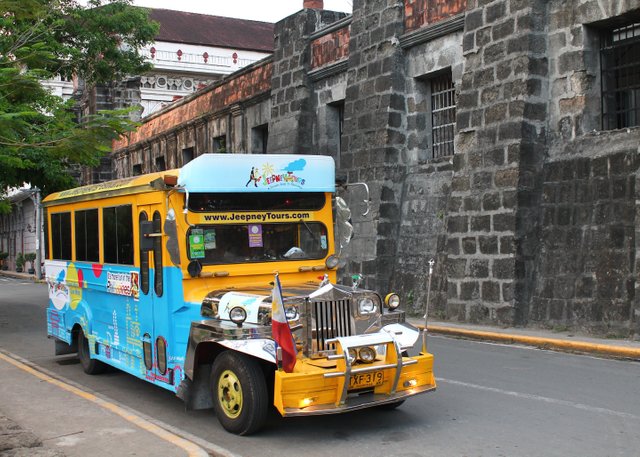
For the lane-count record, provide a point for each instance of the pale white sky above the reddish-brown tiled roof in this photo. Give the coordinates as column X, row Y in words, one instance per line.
column 257, row 10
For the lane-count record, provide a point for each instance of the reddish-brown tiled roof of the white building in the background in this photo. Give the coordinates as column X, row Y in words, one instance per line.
column 202, row 29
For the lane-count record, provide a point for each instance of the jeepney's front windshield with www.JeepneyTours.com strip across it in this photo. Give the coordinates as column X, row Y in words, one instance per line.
column 256, row 227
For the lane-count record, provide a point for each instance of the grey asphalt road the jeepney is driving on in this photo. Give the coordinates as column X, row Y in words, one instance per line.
column 492, row 400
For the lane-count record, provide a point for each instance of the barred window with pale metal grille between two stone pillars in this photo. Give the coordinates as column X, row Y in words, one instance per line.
column 443, row 115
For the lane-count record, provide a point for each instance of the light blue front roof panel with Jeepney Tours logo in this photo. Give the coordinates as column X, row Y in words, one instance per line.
column 258, row 173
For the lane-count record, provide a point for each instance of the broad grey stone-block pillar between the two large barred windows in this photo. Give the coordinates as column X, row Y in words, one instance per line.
column 493, row 217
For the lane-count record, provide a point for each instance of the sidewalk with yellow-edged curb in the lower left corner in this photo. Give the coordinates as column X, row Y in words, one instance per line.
column 41, row 416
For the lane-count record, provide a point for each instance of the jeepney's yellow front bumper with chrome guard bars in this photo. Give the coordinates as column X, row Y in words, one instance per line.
column 313, row 390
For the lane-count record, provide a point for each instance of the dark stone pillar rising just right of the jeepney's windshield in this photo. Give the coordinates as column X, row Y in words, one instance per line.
column 374, row 136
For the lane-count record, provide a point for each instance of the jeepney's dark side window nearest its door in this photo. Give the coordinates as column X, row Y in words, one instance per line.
column 117, row 227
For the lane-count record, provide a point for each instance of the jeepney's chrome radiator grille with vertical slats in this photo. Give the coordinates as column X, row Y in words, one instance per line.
column 331, row 319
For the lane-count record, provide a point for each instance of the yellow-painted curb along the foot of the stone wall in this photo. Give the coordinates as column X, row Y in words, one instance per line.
column 545, row 343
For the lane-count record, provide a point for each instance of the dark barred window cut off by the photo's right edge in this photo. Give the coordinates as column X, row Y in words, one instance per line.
column 620, row 62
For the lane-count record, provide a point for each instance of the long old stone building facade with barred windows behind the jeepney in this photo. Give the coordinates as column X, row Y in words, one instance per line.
column 498, row 137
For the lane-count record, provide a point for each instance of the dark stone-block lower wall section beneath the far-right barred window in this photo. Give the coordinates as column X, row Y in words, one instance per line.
column 586, row 270
